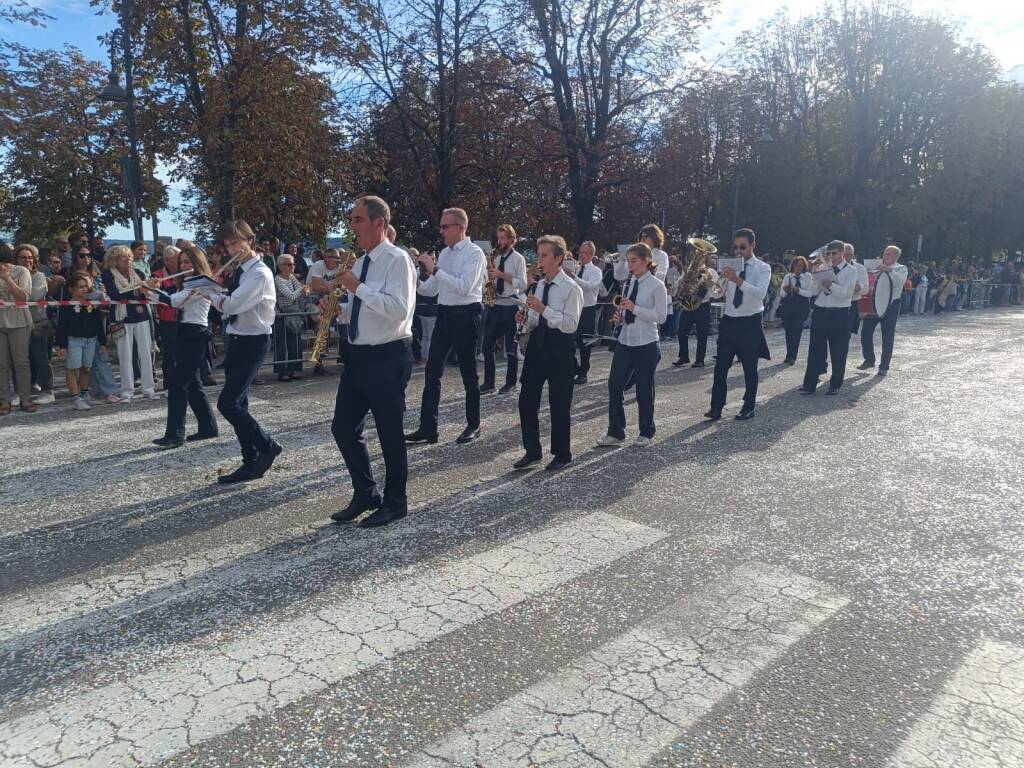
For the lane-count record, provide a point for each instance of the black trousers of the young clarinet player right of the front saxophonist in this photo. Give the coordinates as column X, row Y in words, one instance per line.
column 553, row 363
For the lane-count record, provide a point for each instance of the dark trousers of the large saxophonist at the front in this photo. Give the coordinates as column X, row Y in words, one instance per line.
column 374, row 381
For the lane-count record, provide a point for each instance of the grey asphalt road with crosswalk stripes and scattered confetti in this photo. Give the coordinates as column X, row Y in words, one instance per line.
column 837, row 583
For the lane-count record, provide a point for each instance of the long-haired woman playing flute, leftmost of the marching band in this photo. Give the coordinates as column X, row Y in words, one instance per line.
column 186, row 389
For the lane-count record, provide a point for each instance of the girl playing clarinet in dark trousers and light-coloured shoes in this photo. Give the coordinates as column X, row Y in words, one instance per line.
column 645, row 308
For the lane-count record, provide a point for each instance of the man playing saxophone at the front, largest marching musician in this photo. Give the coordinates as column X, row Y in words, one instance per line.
column 378, row 359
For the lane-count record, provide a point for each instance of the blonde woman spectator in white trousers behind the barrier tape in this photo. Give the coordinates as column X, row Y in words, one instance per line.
column 131, row 325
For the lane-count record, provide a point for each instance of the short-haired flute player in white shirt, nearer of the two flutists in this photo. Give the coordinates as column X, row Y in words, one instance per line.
column 249, row 311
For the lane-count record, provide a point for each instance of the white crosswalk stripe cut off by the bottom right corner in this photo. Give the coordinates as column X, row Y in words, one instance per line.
column 977, row 721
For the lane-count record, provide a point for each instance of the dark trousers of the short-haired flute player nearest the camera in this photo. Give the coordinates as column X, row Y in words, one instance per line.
column 245, row 356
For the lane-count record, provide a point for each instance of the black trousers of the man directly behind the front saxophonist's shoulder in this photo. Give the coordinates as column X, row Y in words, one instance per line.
column 456, row 329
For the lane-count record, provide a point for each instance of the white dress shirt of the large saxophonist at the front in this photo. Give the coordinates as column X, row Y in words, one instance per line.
column 389, row 296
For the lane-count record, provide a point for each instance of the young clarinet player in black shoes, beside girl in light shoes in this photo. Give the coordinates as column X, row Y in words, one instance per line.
column 552, row 316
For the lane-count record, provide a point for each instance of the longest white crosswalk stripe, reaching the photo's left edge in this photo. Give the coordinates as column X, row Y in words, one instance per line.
column 205, row 694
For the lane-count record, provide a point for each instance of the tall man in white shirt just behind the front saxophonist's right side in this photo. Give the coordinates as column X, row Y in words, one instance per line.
column 457, row 280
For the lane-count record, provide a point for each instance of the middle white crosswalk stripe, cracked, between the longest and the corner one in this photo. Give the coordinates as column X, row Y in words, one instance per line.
column 624, row 703
